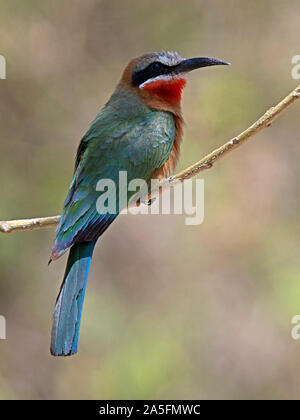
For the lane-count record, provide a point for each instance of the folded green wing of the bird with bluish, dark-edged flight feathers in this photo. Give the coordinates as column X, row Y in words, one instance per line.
column 138, row 144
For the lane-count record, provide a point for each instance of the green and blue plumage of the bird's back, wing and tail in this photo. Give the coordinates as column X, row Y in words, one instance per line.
column 125, row 136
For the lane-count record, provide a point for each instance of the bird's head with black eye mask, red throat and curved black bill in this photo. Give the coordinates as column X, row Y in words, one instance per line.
column 159, row 78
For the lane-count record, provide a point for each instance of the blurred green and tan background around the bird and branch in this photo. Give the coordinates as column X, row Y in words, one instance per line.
column 172, row 311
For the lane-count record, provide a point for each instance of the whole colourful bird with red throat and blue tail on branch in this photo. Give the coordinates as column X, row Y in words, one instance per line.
column 139, row 130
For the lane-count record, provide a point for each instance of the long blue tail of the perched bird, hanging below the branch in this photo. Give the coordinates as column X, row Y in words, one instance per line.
column 68, row 308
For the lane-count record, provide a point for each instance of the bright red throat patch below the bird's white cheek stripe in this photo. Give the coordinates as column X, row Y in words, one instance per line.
column 168, row 90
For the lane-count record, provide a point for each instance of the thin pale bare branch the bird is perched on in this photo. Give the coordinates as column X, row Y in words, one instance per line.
column 205, row 163
